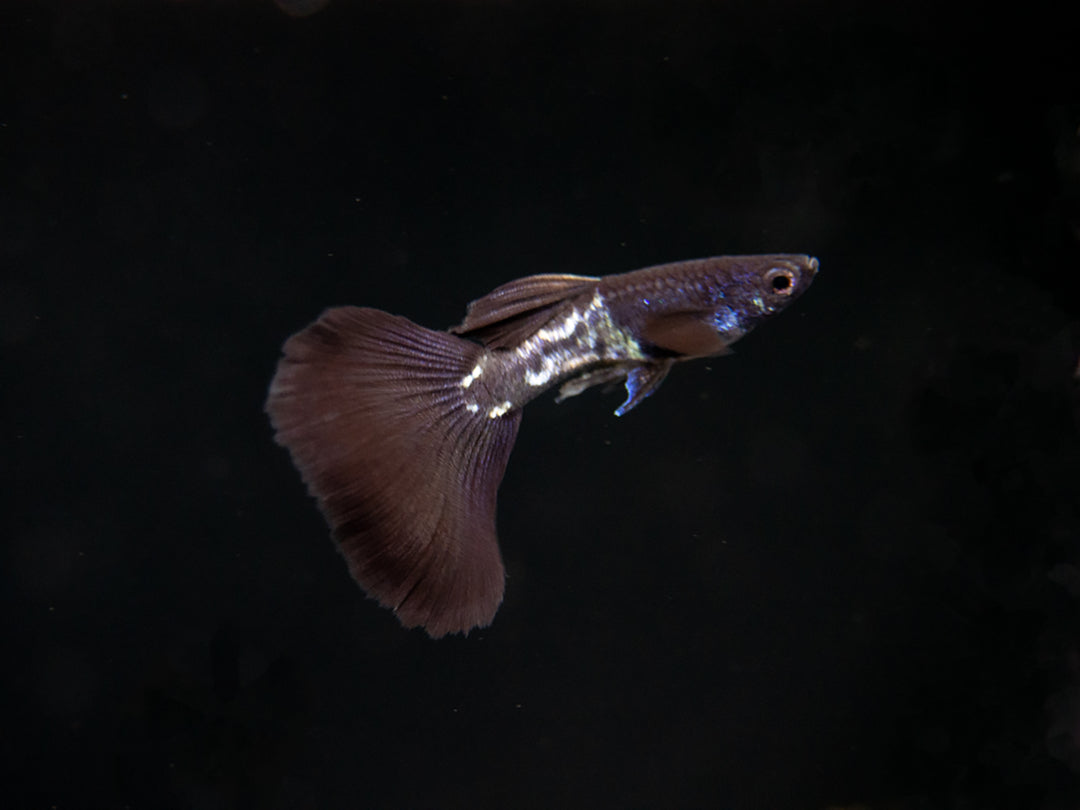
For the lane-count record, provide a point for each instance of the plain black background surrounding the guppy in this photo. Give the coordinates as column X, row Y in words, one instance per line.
column 838, row 570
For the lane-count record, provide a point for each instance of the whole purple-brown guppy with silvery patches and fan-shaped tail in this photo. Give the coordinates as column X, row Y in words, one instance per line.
column 402, row 434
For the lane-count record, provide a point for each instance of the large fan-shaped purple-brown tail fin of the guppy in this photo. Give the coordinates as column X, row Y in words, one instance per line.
column 372, row 409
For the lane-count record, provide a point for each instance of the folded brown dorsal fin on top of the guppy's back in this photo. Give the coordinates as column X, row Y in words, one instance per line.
column 510, row 314
